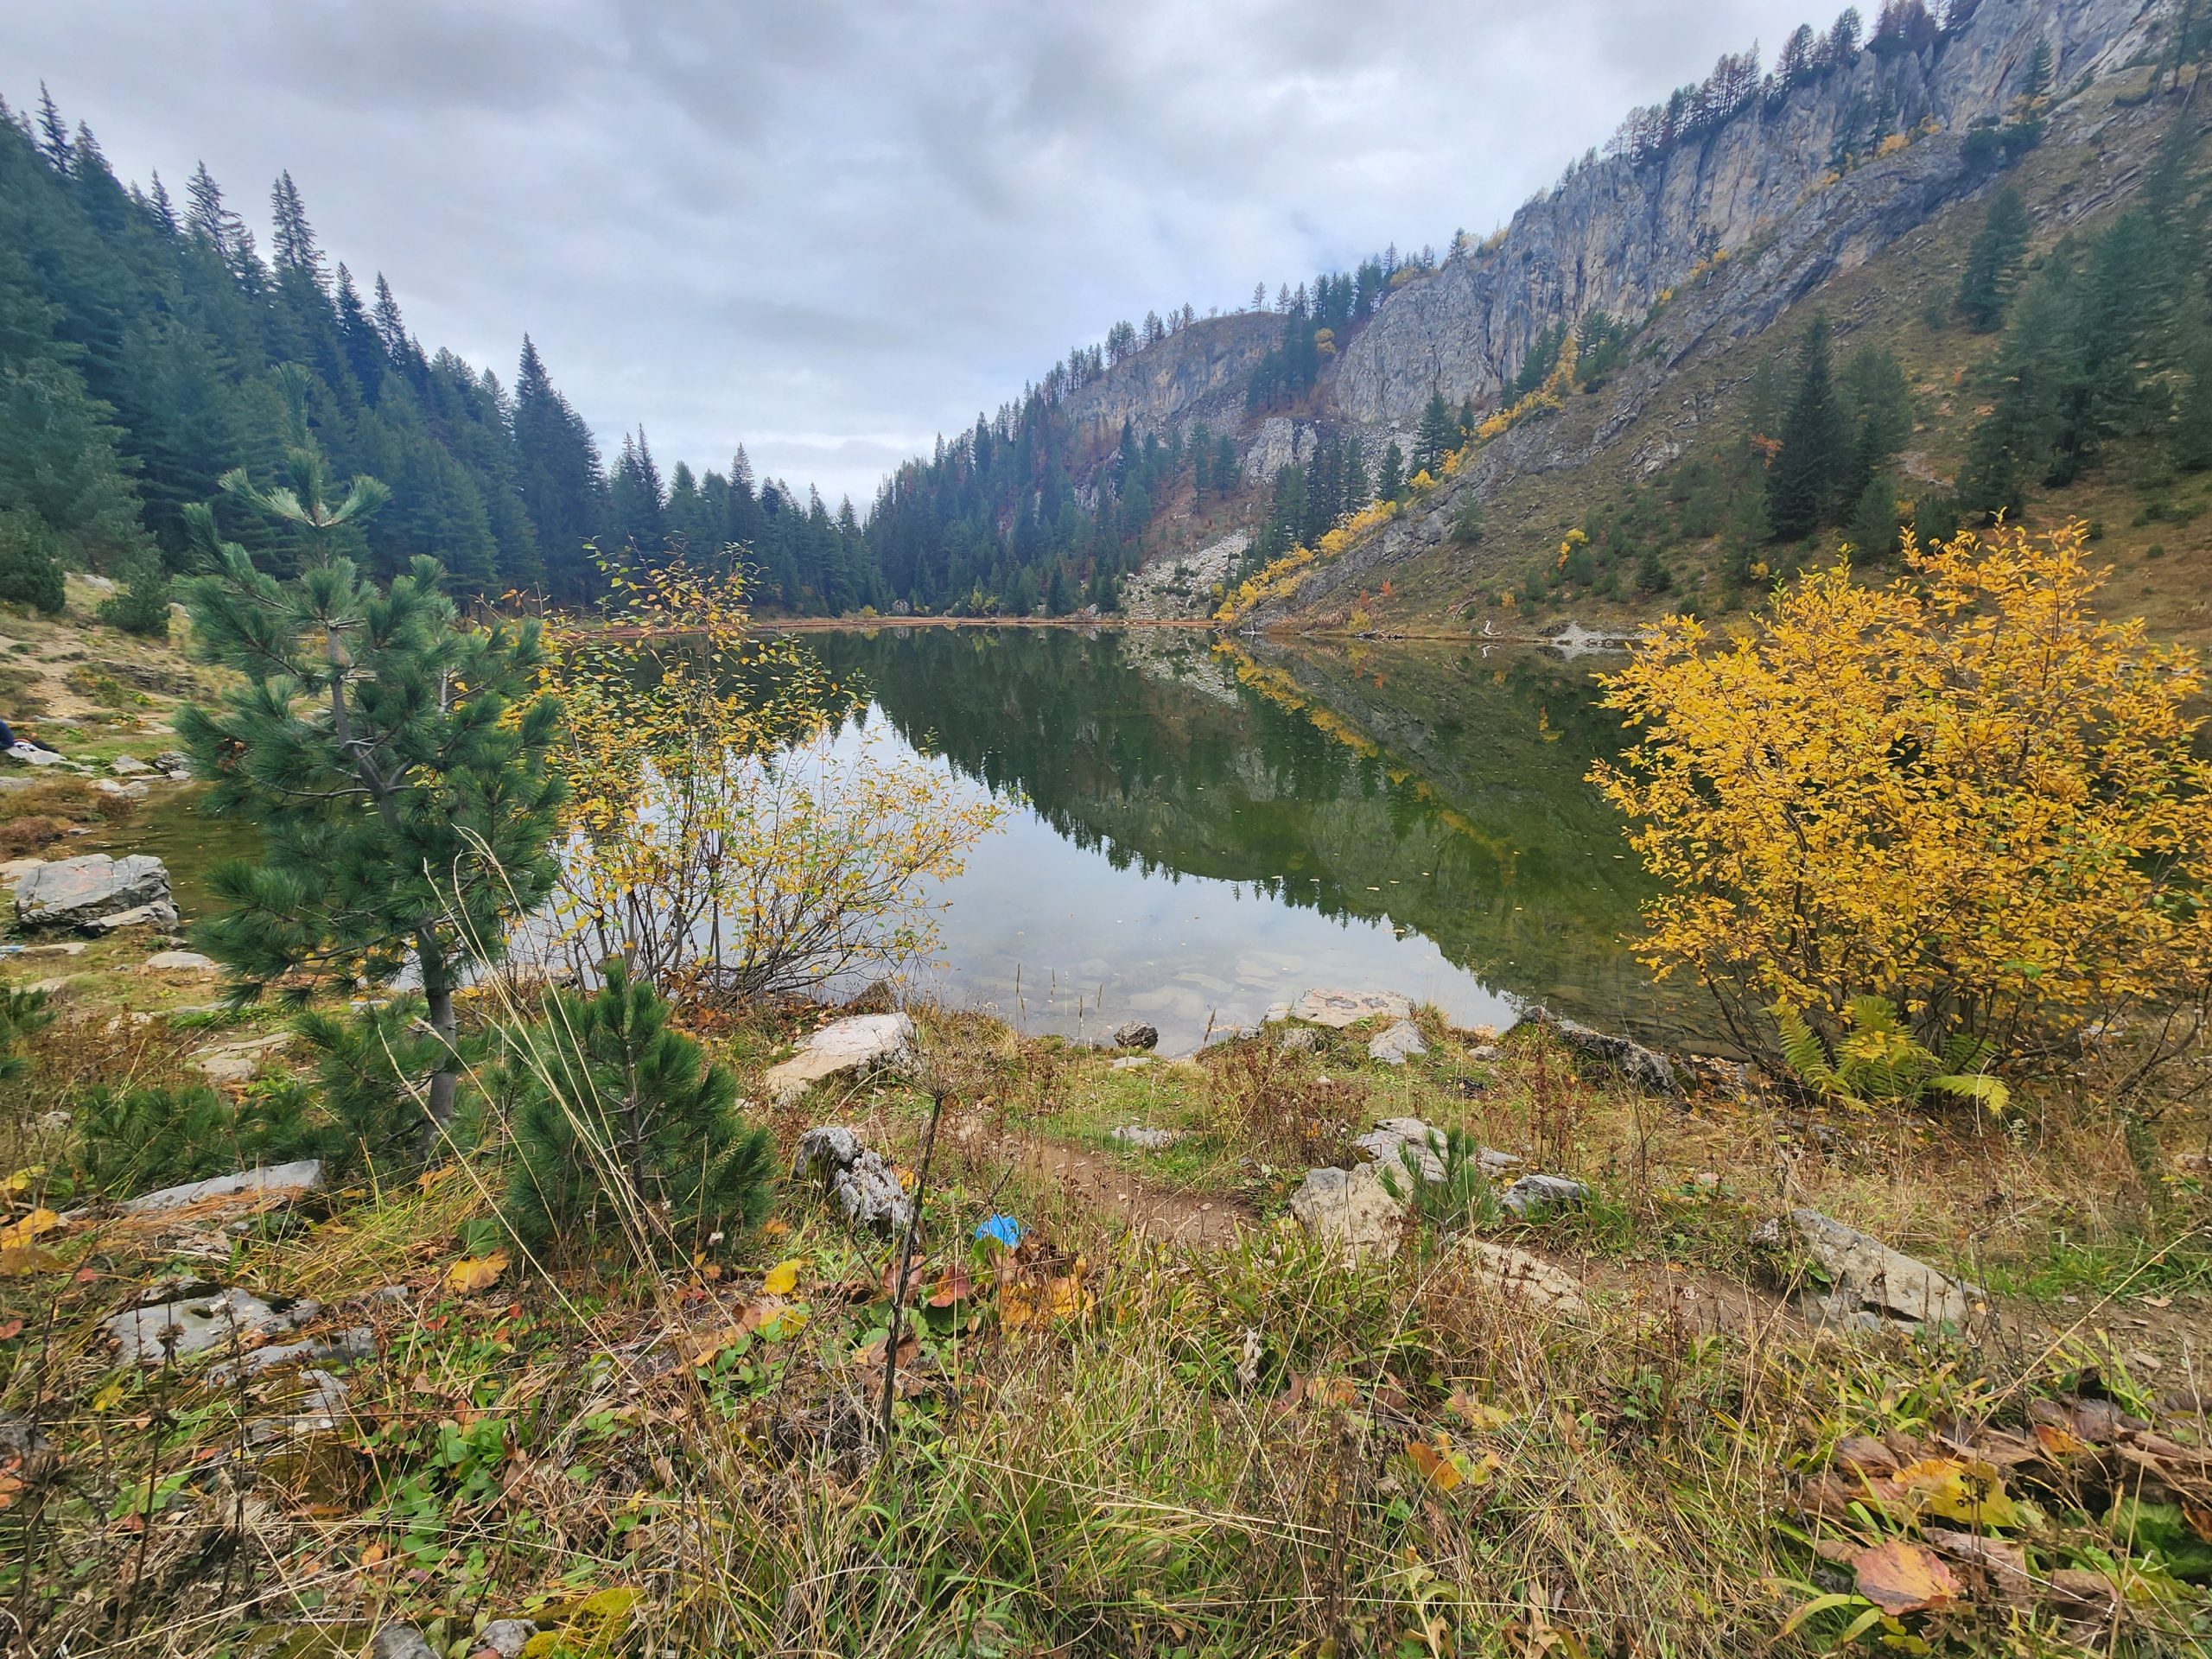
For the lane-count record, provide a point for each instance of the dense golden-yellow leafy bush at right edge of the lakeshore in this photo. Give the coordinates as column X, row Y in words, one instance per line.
column 1961, row 793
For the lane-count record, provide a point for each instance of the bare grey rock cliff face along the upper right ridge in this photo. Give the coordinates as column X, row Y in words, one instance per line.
column 1616, row 236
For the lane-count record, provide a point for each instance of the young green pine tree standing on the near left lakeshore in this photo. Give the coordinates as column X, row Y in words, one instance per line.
column 395, row 762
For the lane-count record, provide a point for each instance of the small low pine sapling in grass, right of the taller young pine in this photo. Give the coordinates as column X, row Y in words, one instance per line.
column 625, row 1127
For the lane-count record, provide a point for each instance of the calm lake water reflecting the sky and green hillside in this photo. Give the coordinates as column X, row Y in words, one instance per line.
column 1198, row 833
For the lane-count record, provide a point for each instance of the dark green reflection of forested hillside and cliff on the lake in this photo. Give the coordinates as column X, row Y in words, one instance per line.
column 1426, row 786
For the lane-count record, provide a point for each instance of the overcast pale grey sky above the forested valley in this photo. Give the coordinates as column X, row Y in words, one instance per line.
column 826, row 229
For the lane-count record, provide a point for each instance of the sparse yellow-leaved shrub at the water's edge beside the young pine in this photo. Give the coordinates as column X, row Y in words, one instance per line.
column 720, row 835
